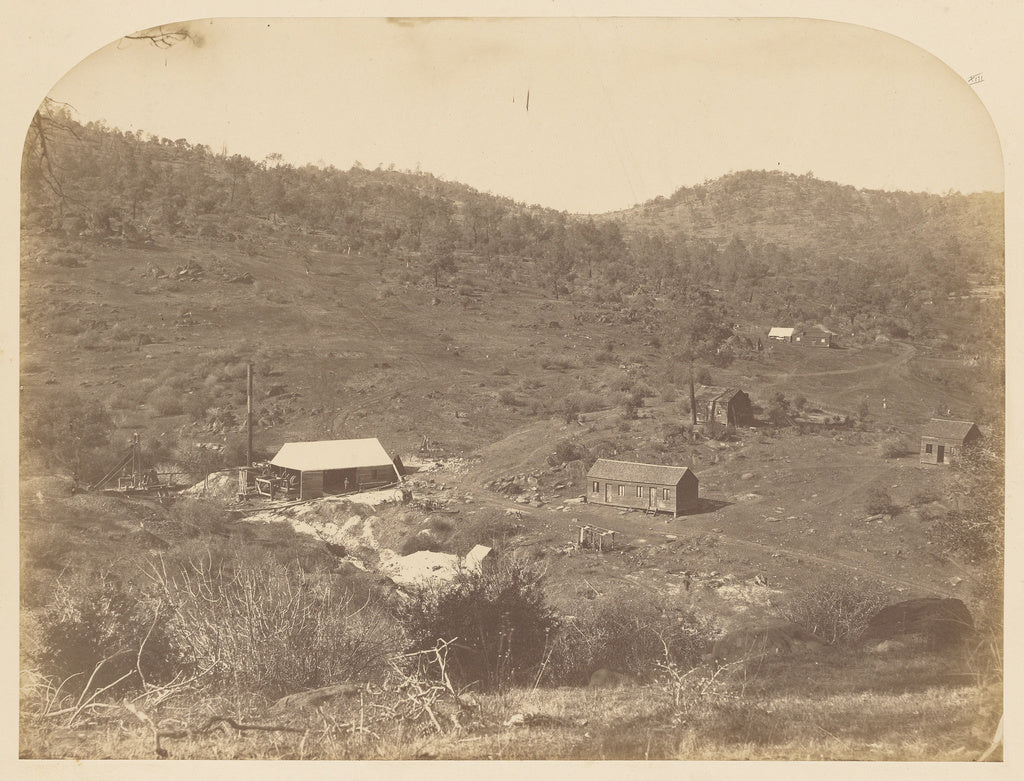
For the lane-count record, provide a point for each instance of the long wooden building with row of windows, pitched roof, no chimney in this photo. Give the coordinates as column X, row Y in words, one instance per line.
column 643, row 487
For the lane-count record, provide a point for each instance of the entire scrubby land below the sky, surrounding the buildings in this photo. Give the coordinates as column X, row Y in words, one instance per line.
column 500, row 350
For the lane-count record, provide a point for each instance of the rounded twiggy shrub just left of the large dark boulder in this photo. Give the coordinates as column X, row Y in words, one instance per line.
column 837, row 612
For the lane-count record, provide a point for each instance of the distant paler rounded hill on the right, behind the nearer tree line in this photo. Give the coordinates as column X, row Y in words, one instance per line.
column 823, row 224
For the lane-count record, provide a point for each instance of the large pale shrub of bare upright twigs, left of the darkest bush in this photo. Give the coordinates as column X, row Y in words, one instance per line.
column 270, row 627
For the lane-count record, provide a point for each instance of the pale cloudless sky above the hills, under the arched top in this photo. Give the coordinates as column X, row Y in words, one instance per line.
column 621, row 111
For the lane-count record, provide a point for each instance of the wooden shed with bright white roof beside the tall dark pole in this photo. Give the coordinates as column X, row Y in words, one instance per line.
column 336, row 466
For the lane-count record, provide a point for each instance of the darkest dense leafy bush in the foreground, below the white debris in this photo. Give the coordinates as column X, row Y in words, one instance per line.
column 501, row 622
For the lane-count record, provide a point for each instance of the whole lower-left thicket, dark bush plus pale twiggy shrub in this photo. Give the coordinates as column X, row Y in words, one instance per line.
column 254, row 625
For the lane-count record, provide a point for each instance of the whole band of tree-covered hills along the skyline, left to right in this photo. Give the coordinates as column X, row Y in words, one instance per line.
column 774, row 245
